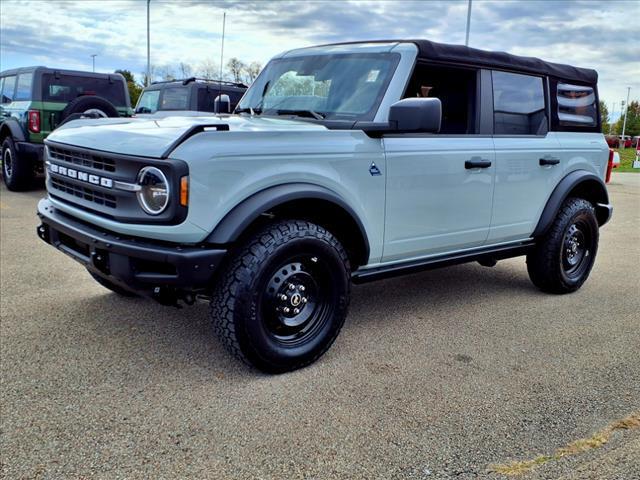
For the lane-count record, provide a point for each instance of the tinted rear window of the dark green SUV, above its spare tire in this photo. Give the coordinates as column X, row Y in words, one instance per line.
column 69, row 87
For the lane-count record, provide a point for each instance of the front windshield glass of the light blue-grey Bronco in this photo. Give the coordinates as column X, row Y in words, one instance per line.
column 333, row 87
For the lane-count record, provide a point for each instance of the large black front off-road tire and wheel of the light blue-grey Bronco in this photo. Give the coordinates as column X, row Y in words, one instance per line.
column 245, row 299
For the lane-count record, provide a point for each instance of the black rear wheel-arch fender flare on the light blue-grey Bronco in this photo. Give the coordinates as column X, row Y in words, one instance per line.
column 579, row 178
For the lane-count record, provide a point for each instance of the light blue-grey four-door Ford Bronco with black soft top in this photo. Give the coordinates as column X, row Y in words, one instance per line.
column 342, row 163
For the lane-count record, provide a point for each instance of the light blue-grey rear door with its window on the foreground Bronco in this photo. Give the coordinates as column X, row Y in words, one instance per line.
column 528, row 160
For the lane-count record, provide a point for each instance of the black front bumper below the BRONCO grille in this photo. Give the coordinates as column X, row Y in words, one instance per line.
column 163, row 270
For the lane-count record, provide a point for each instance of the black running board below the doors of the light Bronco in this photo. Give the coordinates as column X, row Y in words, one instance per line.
column 489, row 253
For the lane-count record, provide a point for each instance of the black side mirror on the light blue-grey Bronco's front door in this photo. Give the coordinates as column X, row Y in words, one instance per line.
column 422, row 115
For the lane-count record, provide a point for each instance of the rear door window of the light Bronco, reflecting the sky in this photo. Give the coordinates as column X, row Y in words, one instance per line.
column 518, row 104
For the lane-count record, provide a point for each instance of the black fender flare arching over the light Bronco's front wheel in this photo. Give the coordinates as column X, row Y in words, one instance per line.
column 242, row 215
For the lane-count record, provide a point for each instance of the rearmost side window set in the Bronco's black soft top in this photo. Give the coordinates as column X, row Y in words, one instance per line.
column 576, row 106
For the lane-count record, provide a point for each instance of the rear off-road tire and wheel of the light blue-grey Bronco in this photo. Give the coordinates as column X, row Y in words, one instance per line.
column 548, row 263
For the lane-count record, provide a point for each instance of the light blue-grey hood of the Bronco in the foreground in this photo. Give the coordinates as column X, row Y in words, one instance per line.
column 152, row 136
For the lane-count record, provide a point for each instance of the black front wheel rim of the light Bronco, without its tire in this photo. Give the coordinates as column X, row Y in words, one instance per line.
column 298, row 300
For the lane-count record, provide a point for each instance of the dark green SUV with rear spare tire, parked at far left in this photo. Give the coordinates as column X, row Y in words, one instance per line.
column 35, row 100
